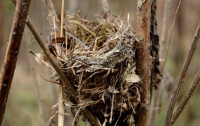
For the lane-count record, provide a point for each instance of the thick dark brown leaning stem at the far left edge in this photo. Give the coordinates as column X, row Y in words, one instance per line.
column 12, row 53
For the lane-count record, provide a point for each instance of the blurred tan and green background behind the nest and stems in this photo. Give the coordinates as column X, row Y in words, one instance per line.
column 31, row 98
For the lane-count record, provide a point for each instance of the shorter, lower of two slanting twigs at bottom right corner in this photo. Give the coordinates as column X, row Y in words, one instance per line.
column 186, row 97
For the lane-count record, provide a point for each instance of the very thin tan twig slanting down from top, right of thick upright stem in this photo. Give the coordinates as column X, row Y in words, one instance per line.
column 170, row 36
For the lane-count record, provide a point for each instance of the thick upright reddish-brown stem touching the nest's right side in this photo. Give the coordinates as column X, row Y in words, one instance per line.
column 143, row 60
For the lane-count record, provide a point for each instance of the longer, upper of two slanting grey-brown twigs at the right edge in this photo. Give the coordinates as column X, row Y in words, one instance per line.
column 182, row 76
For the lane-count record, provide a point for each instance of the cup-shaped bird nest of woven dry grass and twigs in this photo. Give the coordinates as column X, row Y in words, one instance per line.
column 99, row 59
